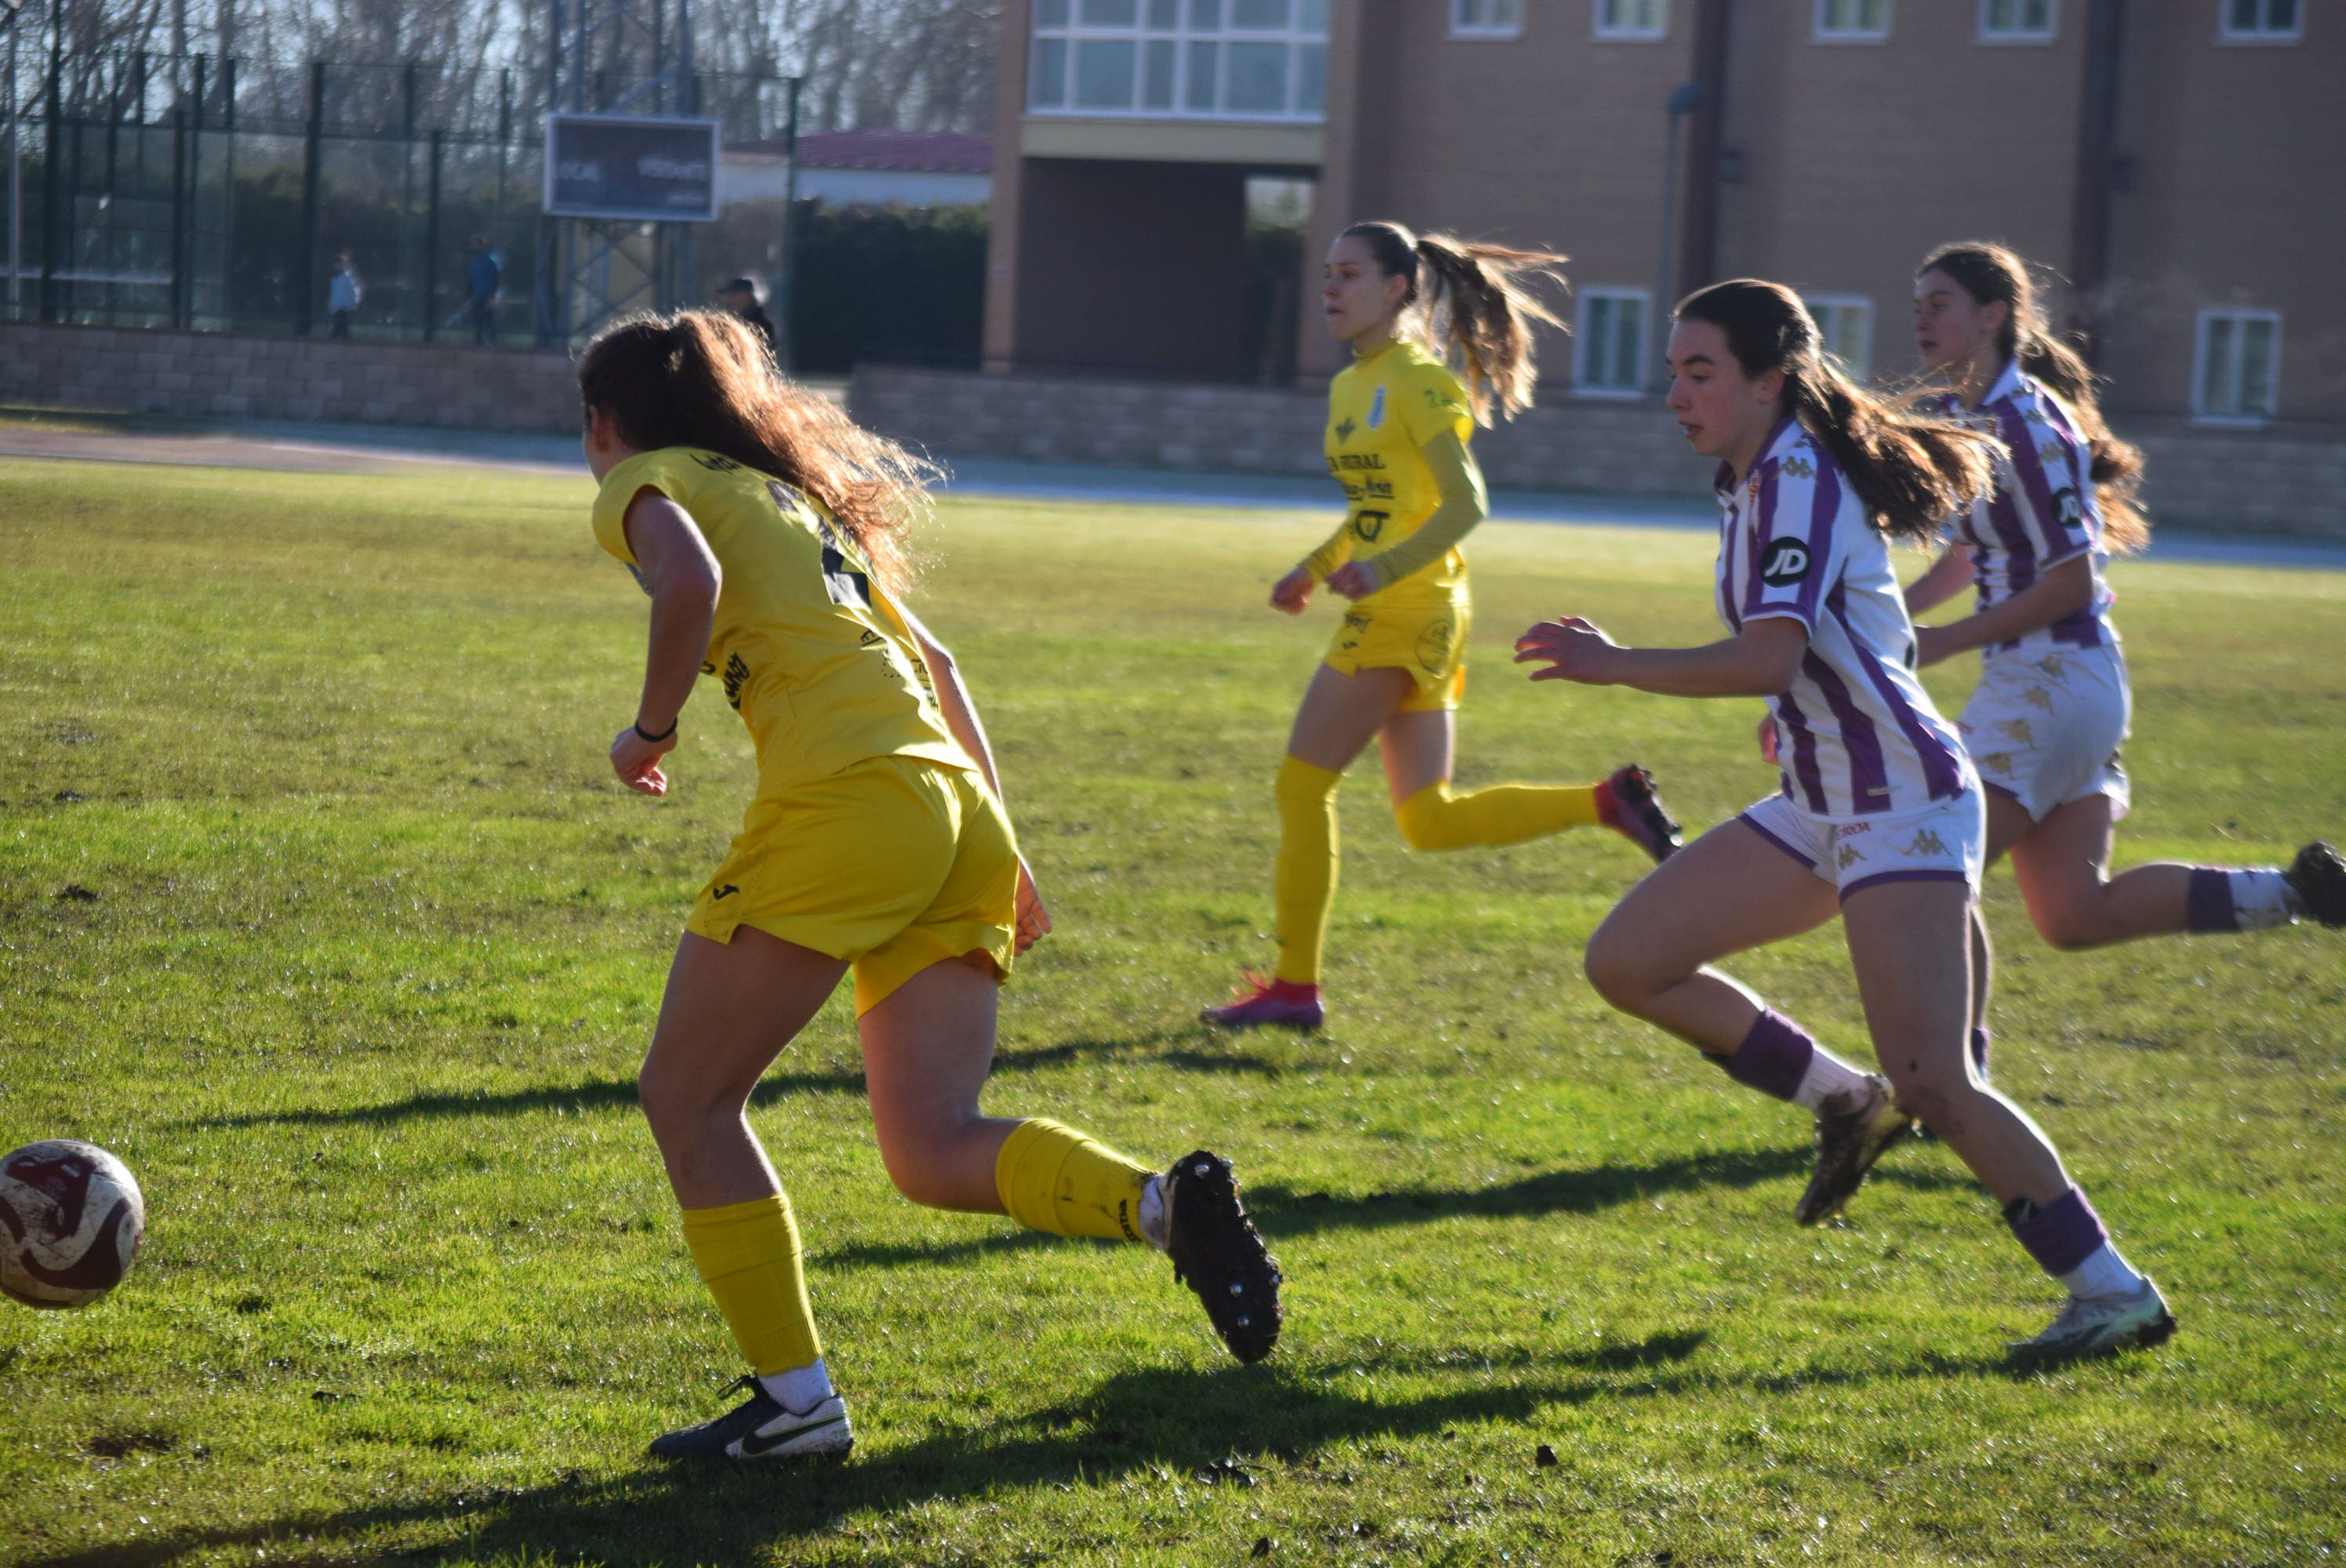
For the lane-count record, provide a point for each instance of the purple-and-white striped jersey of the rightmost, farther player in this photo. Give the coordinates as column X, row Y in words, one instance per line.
column 2042, row 513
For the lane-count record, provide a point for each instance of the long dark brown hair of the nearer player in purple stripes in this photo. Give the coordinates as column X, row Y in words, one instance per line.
column 1911, row 471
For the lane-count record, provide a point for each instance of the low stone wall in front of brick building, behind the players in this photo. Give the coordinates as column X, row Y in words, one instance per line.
column 2202, row 480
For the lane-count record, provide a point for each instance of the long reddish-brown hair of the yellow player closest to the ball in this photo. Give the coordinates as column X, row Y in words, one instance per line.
column 705, row 379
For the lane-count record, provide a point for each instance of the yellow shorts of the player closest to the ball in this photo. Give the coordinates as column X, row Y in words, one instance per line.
column 893, row 865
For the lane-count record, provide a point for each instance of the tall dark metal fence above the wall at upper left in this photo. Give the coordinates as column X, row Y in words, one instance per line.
column 219, row 194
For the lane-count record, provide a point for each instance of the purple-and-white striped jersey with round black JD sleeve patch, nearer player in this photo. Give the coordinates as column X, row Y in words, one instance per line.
column 1857, row 734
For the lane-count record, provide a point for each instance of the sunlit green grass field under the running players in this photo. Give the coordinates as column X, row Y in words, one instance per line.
column 320, row 905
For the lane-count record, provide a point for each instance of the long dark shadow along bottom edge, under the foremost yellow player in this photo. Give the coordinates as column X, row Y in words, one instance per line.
column 1167, row 1426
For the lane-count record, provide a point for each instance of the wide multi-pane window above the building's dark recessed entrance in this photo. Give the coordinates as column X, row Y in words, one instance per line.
column 1181, row 60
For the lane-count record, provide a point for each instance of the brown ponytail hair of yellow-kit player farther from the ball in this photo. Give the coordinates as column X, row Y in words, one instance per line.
column 1479, row 306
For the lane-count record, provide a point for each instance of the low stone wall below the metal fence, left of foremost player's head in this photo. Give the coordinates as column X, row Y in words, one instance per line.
column 287, row 379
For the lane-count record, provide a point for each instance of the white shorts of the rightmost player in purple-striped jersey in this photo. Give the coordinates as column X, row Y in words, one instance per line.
column 2047, row 731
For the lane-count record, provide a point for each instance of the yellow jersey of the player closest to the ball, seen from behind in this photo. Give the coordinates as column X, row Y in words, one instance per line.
column 811, row 651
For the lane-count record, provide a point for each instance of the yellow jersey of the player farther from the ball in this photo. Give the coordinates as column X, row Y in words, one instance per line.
column 1381, row 414
